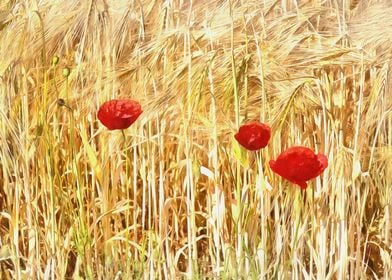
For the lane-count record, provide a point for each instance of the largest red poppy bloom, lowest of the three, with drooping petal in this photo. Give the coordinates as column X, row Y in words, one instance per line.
column 299, row 164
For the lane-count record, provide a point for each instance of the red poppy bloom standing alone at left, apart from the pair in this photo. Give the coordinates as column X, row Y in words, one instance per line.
column 119, row 113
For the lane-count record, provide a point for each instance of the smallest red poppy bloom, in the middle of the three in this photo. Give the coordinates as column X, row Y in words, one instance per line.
column 253, row 136
